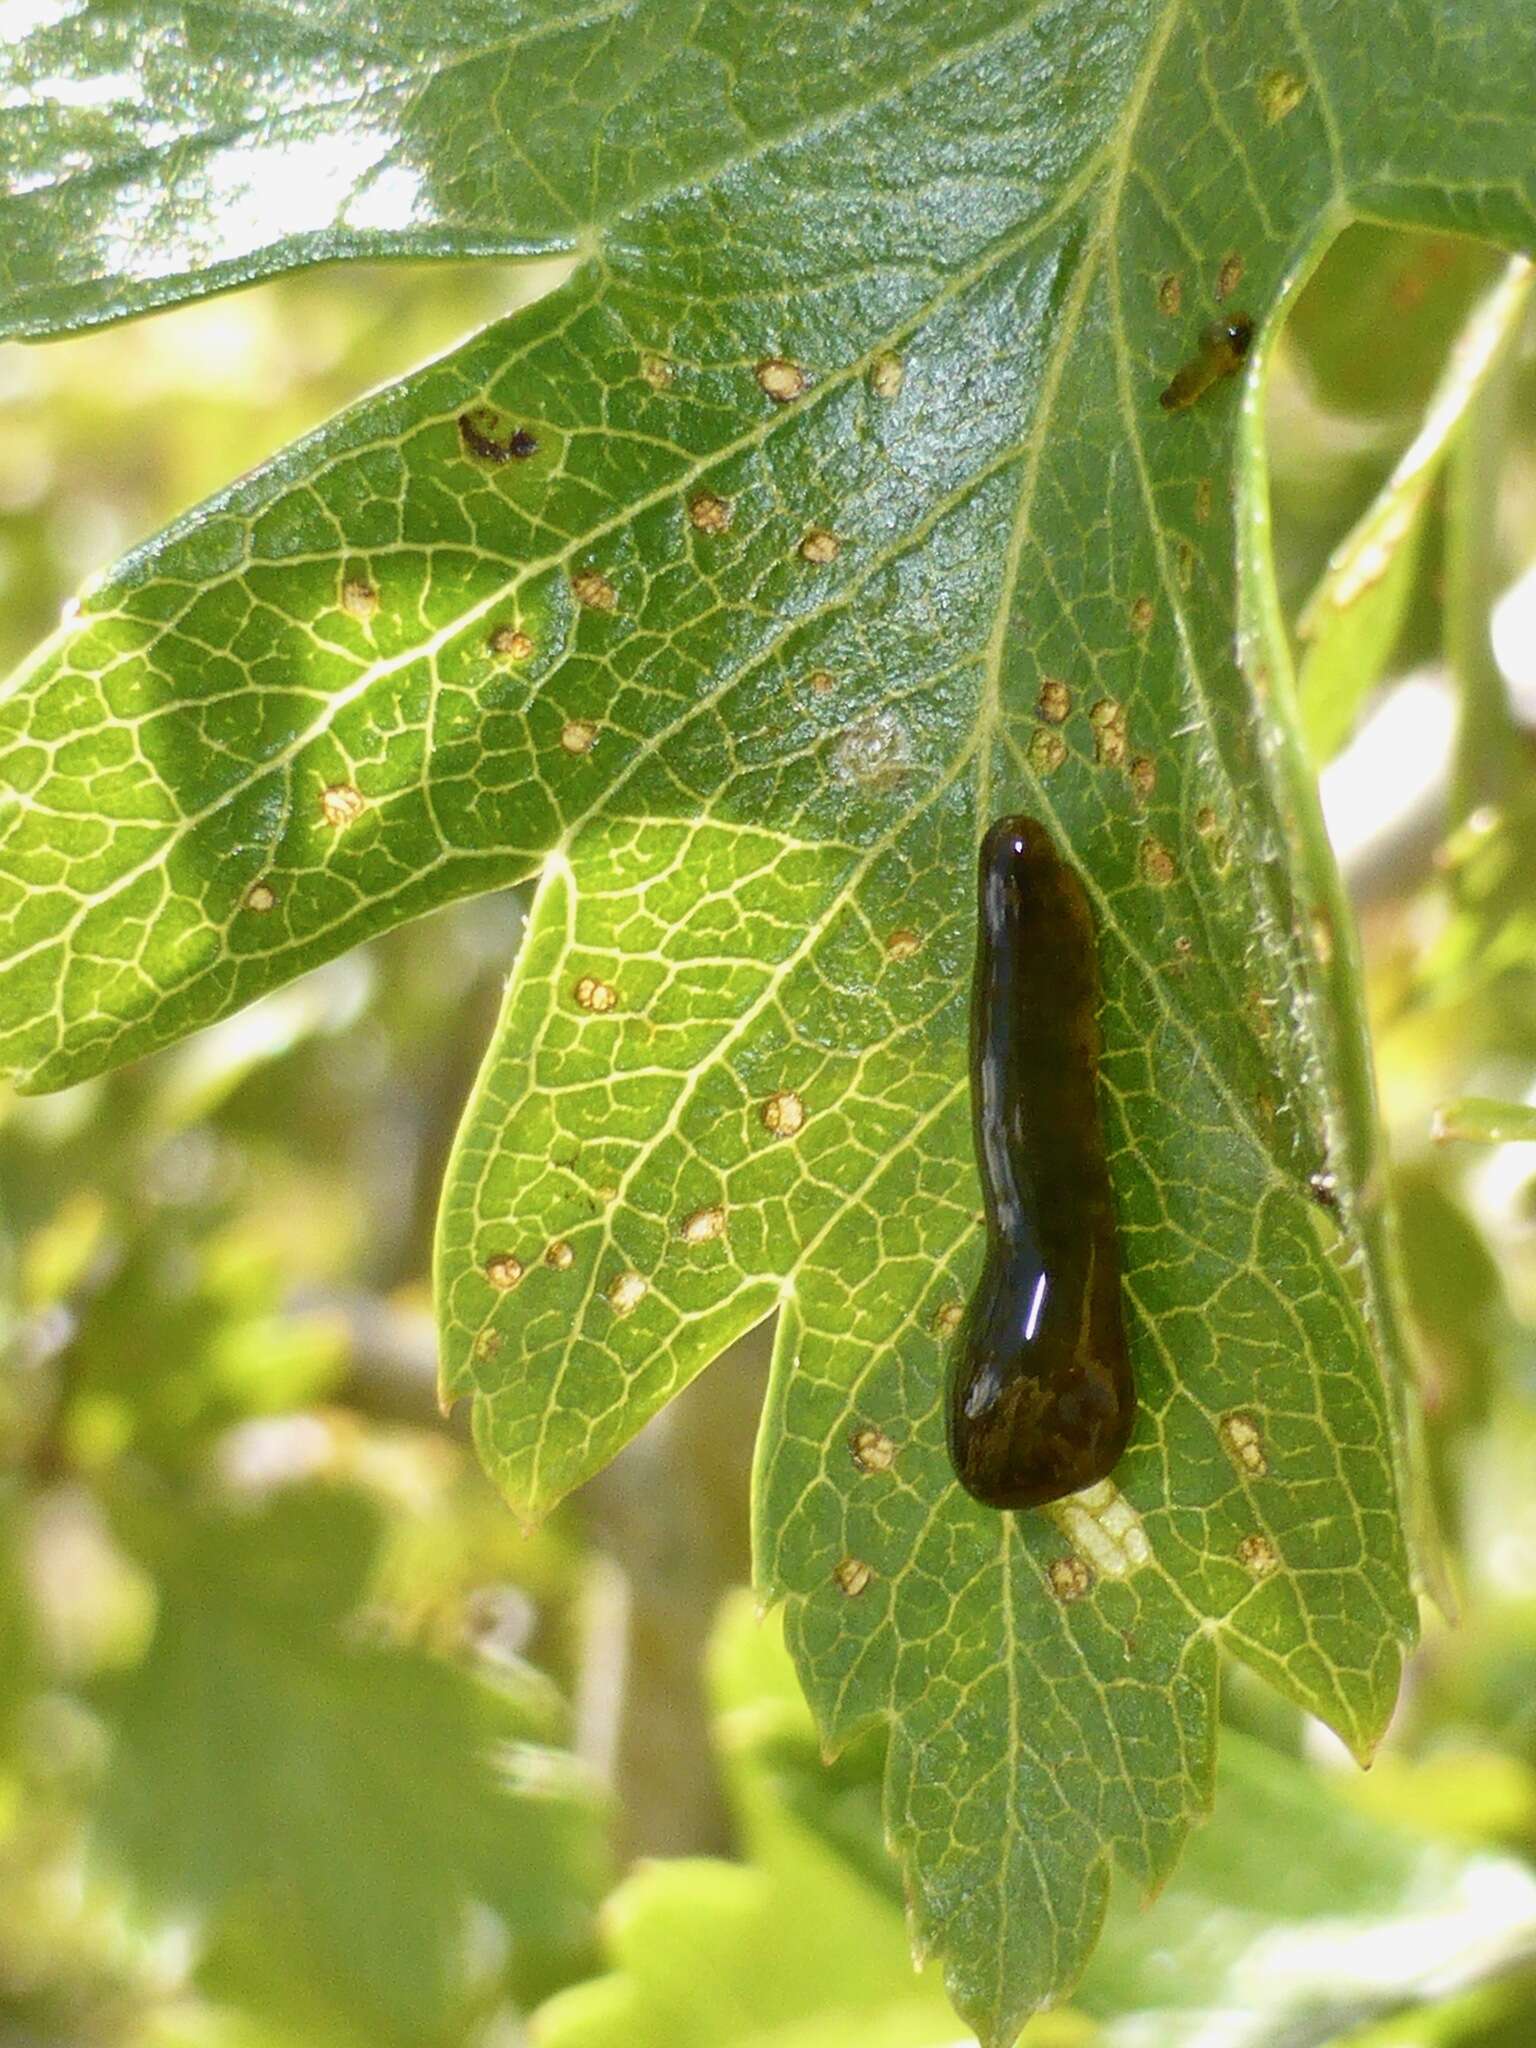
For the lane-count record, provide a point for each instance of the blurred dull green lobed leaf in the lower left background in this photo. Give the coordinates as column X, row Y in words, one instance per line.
column 257, row 1785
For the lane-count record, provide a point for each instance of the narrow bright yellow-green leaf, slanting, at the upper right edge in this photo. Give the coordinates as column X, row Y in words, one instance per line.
column 1355, row 617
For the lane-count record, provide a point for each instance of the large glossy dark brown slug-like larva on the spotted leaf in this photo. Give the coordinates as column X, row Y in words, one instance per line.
column 1039, row 1392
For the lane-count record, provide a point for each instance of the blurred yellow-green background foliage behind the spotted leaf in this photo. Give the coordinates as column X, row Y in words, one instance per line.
column 304, row 1742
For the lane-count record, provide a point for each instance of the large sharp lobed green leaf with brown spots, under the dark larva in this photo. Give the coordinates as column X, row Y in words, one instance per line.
column 749, row 777
